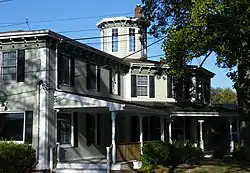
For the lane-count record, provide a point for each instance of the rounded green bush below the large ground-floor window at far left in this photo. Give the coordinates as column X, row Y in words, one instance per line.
column 16, row 158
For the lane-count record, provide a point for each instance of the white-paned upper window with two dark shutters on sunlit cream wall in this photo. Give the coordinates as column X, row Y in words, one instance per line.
column 143, row 85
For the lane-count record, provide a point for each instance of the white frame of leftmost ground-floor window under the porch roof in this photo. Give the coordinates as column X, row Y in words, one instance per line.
column 71, row 145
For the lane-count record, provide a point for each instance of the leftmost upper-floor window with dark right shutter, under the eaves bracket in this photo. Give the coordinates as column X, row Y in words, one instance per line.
column 12, row 66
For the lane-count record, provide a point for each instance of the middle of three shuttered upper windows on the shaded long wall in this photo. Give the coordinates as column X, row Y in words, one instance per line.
column 93, row 77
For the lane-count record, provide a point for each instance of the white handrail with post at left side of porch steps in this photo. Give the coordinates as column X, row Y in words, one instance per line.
column 54, row 156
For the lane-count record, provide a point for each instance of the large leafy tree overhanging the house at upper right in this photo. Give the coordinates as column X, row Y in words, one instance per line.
column 199, row 28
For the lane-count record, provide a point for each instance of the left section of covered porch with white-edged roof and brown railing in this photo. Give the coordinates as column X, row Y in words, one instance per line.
column 93, row 132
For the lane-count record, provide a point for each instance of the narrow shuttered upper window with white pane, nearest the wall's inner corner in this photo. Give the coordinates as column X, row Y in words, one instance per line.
column 114, row 79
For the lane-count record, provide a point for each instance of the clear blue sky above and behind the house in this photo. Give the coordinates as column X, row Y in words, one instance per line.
column 84, row 15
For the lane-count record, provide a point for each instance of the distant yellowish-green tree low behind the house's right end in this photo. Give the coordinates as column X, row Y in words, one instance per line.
column 223, row 96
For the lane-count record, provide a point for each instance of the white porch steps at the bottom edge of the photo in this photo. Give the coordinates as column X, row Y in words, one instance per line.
column 81, row 167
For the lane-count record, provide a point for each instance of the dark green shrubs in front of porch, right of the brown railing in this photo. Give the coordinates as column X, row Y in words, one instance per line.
column 165, row 154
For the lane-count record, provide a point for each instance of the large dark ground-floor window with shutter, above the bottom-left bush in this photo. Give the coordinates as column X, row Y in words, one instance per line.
column 16, row 127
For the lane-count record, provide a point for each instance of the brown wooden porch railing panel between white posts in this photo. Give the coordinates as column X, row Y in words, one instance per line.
column 128, row 151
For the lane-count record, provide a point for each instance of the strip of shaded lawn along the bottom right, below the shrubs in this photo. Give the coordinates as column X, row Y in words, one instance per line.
column 207, row 166
